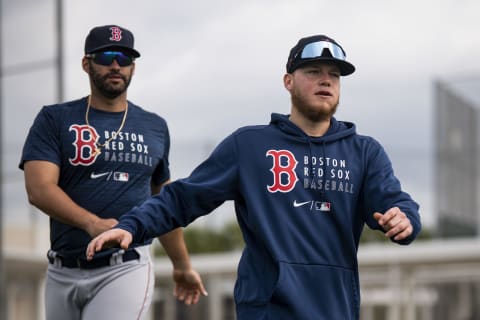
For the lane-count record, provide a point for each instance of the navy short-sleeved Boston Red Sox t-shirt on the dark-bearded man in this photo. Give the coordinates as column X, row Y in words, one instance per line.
column 108, row 184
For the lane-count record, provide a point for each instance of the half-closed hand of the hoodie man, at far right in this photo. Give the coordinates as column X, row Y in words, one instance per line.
column 395, row 223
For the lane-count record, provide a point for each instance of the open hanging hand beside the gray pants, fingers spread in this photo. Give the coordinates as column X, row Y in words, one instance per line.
column 188, row 286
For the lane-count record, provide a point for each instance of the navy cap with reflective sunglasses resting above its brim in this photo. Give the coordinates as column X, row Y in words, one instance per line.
column 318, row 48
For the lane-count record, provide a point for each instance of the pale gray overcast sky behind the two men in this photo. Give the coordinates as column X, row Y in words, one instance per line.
column 211, row 66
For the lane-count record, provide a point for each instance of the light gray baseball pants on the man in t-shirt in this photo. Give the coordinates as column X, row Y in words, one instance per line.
column 120, row 291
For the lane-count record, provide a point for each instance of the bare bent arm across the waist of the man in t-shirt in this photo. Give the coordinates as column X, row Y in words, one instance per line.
column 41, row 183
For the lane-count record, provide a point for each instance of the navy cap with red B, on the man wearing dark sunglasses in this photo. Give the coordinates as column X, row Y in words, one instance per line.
column 110, row 37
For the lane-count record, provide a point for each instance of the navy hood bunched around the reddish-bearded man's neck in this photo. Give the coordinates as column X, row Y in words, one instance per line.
column 337, row 130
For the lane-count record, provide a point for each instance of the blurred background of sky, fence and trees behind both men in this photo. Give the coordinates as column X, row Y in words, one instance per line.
column 209, row 67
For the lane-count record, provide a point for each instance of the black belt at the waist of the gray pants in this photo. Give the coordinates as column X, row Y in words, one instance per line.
column 82, row 263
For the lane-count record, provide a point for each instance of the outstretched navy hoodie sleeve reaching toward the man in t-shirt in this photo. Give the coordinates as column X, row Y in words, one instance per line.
column 181, row 202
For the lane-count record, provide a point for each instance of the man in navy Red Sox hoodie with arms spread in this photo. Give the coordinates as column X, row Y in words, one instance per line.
column 304, row 186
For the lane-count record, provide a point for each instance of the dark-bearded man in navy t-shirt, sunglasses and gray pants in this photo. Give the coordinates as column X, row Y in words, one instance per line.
column 86, row 163
